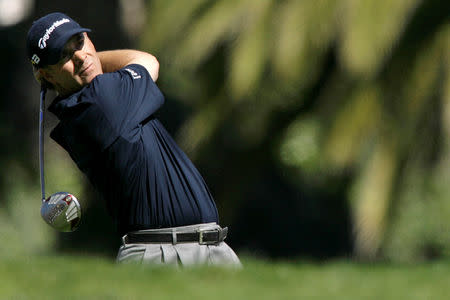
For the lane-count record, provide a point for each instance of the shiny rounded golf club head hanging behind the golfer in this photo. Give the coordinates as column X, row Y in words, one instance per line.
column 62, row 211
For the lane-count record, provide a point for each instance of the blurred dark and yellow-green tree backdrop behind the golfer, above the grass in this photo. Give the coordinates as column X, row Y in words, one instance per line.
column 320, row 126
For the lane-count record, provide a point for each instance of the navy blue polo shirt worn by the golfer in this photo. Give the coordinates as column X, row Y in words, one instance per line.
column 109, row 130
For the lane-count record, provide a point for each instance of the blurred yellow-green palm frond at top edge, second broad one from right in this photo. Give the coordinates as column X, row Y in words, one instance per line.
column 303, row 32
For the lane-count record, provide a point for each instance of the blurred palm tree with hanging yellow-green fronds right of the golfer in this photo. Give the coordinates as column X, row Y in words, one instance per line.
column 329, row 88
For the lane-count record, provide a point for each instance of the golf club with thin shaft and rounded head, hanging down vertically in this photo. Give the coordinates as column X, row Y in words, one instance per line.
column 61, row 210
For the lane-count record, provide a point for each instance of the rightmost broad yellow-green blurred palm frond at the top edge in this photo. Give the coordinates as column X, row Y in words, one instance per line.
column 371, row 28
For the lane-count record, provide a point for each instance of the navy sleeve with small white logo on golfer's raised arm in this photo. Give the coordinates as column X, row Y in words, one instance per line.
column 127, row 97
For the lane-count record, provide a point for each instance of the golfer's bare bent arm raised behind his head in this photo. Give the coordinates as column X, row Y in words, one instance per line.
column 113, row 60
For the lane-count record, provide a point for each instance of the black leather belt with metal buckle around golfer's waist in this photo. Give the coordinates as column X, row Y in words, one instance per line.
column 201, row 236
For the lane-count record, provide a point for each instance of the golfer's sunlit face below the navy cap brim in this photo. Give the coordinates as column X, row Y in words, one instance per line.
column 78, row 66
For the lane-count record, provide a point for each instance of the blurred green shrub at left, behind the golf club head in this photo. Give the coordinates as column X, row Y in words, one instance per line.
column 22, row 230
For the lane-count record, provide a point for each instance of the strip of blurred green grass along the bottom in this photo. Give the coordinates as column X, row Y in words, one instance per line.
column 76, row 277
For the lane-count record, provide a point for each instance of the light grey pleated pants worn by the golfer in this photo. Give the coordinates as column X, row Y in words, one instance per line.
column 181, row 254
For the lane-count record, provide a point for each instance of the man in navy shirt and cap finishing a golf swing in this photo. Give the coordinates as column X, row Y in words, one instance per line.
column 106, row 102
